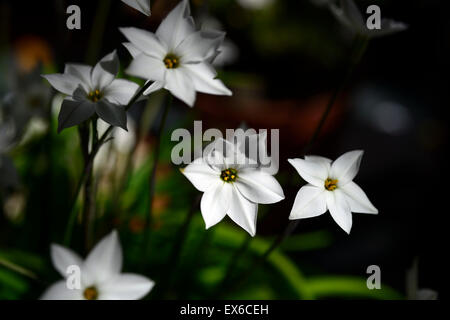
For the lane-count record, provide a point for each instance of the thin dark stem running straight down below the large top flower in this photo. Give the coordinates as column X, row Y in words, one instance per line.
column 152, row 176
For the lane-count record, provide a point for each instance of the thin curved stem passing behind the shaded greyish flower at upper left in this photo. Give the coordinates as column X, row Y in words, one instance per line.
column 88, row 167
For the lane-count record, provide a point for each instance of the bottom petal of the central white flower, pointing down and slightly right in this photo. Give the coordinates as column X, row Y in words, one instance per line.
column 243, row 212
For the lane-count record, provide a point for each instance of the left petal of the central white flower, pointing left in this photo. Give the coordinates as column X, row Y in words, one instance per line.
column 200, row 174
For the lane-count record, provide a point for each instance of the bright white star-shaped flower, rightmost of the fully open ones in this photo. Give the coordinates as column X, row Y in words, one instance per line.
column 330, row 187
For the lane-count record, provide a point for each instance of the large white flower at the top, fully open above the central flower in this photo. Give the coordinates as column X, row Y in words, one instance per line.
column 176, row 57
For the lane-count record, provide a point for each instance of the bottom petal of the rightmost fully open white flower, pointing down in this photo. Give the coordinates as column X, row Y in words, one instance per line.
column 339, row 209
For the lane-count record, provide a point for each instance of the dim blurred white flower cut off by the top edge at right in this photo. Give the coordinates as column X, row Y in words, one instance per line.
column 349, row 15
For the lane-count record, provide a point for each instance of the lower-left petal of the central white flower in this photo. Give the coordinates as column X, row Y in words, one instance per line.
column 215, row 203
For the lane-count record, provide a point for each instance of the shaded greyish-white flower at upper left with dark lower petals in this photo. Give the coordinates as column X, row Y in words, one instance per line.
column 93, row 90
